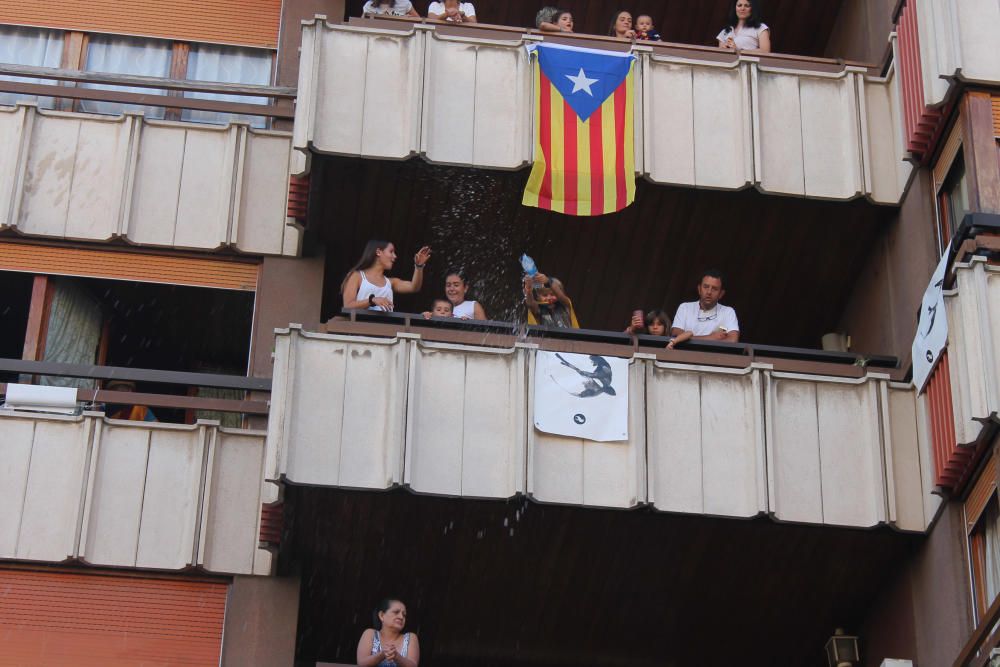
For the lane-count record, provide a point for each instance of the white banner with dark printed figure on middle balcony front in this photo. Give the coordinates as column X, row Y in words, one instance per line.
column 582, row 396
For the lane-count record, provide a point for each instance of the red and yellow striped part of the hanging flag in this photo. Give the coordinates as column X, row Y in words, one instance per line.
column 582, row 167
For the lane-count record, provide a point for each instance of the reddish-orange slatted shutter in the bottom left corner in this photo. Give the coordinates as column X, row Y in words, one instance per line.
column 59, row 618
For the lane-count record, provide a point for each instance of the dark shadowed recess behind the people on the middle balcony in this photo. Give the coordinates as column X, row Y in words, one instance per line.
column 790, row 263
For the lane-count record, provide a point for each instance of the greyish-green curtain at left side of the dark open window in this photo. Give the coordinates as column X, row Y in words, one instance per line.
column 74, row 332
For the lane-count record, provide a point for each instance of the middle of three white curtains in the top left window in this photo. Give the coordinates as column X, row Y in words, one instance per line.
column 127, row 55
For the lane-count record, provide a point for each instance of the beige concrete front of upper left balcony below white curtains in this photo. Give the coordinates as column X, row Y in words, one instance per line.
column 153, row 183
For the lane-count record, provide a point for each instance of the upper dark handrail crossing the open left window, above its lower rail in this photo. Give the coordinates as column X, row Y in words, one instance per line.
column 94, row 372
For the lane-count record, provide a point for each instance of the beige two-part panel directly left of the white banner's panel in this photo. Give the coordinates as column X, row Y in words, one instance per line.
column 466, row 423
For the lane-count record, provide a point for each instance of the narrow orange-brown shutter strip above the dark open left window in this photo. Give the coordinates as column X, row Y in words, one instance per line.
column 134, row 266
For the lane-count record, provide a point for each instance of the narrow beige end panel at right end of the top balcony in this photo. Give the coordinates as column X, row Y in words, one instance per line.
column 888, row 172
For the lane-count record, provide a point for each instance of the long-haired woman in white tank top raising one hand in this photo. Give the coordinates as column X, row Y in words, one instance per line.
column 367, row 285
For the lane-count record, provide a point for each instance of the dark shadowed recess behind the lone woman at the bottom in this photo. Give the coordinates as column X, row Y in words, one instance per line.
column 577, row 586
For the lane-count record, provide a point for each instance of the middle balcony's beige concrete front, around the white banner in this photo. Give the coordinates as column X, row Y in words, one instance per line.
column 450, row 413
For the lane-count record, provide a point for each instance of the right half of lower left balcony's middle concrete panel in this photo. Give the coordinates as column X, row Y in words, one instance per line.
column 170, row 507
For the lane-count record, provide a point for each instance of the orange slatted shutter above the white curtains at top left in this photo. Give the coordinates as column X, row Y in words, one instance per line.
column 240, row 22
